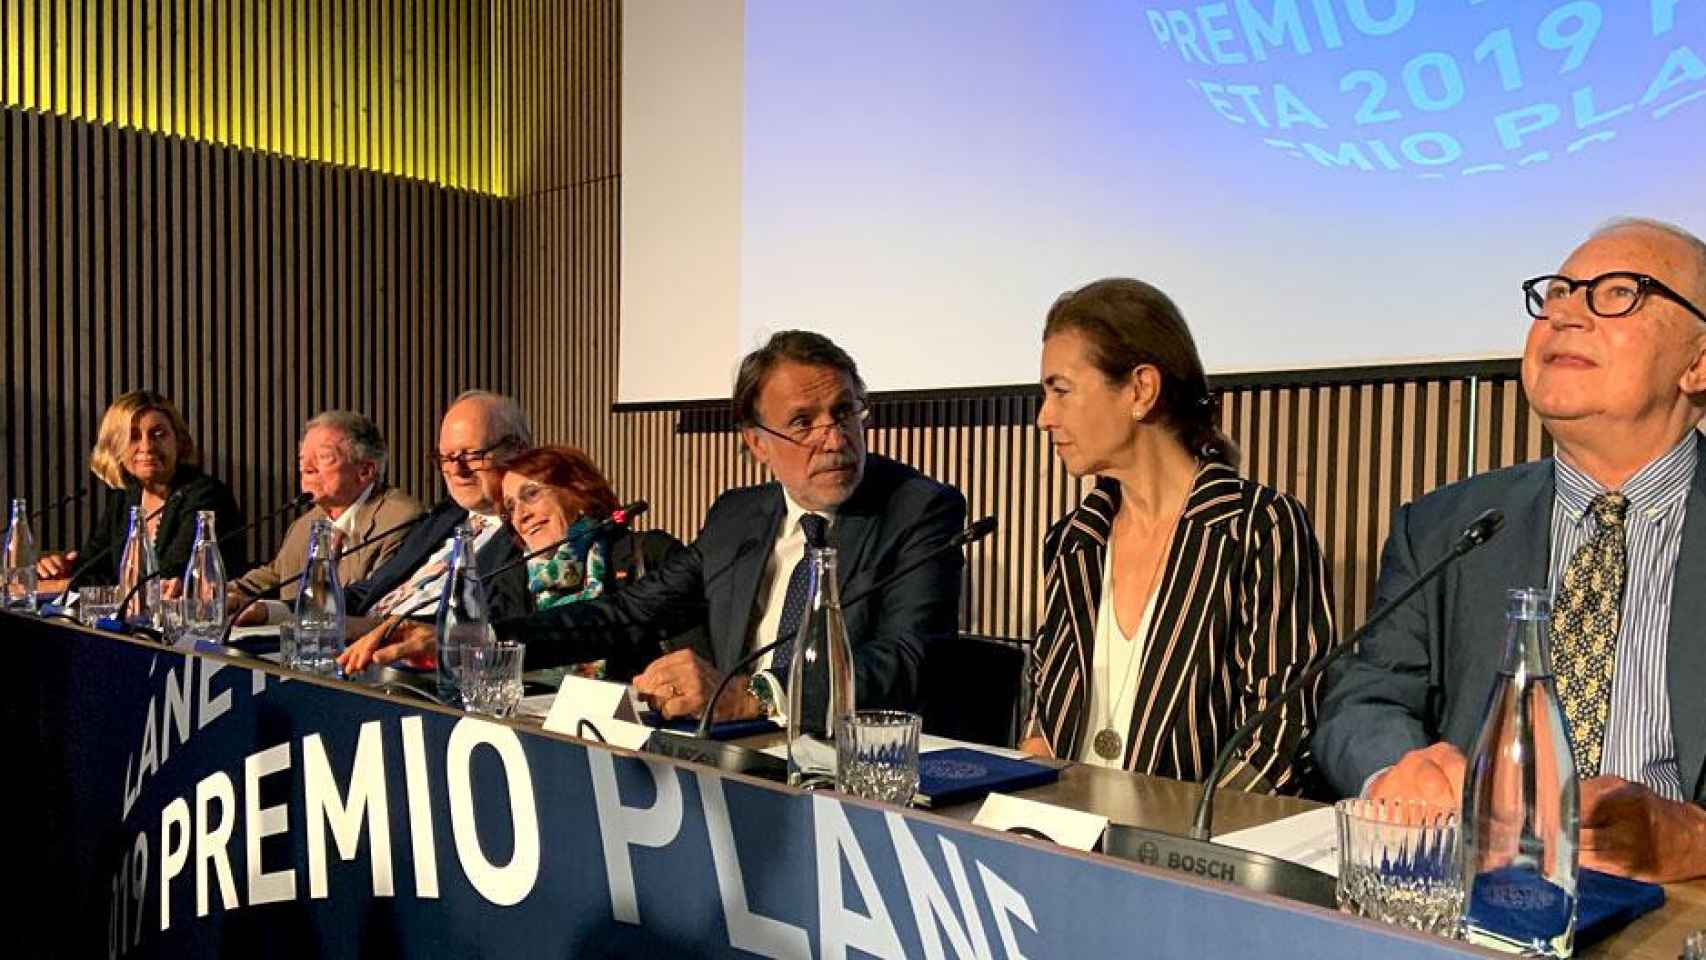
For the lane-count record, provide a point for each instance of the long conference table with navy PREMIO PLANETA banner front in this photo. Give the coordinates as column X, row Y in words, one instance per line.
column 204, row 804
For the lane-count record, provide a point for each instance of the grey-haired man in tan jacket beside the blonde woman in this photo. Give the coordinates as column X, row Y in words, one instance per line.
column 342, row 463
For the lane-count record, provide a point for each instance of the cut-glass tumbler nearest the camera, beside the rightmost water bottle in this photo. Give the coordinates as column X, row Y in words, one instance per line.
column 1398, row 864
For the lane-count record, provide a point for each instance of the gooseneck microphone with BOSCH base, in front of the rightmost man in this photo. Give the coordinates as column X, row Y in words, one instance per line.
column 1251, row 870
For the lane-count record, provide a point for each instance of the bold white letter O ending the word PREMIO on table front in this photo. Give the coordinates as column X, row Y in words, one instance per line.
column 511, row 884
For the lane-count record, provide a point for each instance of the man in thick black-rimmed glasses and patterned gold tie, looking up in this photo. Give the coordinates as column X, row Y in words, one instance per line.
column 1615, row 524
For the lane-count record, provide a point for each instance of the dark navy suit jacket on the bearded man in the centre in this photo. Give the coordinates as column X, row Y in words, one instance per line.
column 895, row 518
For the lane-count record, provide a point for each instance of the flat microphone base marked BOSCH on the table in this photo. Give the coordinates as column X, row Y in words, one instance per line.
column 1229, row 865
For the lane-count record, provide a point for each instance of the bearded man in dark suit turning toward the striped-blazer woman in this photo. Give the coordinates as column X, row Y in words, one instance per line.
column 801, row 407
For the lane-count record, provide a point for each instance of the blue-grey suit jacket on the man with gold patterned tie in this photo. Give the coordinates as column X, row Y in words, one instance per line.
column 1429, row 671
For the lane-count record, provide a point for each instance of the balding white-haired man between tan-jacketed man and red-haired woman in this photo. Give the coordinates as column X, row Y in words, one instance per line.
column 477, row 432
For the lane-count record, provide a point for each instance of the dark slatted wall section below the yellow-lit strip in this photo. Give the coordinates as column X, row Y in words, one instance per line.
column 253, row 291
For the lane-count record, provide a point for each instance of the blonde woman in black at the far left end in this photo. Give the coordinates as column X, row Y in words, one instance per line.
column 146, row 454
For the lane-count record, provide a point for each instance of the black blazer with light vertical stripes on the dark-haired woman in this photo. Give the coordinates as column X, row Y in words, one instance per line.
column 1243, row 608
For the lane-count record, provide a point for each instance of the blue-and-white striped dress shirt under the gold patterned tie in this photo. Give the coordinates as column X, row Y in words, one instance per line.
column 1639, row 741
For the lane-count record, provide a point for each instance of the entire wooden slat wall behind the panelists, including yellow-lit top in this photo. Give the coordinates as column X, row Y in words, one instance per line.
column 139, row 258
